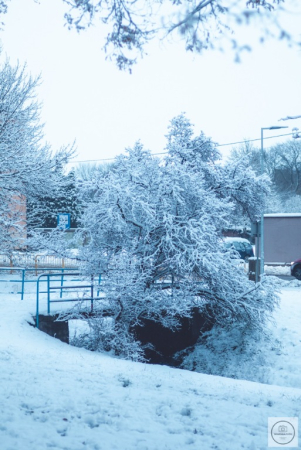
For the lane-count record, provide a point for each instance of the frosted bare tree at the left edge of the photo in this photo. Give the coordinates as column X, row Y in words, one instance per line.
column 27, row 165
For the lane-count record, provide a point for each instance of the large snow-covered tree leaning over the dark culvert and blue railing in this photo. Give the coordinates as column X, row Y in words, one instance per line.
column 154, row 230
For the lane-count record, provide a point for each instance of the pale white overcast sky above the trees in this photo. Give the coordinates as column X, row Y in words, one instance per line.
column 88, row 99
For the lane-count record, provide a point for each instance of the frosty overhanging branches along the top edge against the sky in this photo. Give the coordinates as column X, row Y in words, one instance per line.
column 132, row 24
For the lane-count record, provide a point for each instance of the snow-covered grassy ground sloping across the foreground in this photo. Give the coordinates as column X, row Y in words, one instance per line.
column 55, row 396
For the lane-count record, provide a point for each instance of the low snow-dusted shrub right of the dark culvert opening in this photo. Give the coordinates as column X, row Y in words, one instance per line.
column 235, row 352
